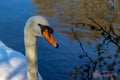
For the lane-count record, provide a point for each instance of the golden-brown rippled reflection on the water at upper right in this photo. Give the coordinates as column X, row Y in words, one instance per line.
column 70, row 12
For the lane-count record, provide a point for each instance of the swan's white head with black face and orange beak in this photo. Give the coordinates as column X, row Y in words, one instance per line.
column 39, row 26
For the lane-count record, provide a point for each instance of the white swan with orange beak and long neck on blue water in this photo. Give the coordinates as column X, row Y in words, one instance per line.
column 14, row 65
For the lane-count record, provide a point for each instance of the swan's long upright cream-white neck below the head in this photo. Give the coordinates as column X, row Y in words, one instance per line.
column 31, row 55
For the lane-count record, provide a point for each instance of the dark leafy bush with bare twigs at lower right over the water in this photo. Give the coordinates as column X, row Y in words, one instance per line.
column 106, row 64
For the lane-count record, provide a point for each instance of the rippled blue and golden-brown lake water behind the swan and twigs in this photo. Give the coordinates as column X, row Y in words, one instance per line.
column 57, row 63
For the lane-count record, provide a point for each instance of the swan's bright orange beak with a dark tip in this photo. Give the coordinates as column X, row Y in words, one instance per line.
column 49, row 38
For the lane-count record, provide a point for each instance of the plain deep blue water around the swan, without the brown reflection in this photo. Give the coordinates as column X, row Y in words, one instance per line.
column 54, row 64
